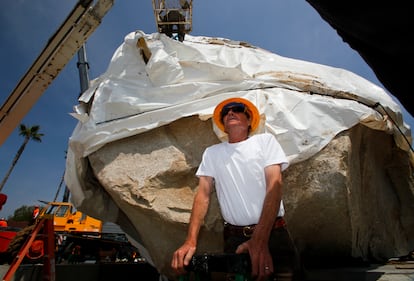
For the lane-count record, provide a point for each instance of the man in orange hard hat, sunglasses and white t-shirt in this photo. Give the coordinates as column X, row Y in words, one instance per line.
column 246, row 172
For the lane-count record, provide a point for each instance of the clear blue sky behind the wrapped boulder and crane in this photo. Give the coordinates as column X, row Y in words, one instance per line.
column 288, row 28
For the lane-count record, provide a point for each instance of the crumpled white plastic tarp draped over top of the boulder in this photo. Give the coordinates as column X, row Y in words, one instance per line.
column 303, row 104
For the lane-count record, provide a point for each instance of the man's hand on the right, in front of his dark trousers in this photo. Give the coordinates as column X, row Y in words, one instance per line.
column 262, row 263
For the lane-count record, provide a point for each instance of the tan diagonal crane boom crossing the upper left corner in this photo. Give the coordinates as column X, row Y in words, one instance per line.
column 59, row 50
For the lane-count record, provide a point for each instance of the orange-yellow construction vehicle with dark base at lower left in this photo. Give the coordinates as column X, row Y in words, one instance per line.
column 80, row 237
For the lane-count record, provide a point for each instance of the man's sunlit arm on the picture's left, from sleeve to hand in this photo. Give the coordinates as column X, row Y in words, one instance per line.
column 183, row 255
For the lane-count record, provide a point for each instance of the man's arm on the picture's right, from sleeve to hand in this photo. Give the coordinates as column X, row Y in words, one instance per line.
column 258, row 245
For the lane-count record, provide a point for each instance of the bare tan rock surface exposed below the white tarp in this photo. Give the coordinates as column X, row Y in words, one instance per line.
column 354, row 198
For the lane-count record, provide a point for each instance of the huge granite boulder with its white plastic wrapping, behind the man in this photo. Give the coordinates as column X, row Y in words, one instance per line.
column 144, row 124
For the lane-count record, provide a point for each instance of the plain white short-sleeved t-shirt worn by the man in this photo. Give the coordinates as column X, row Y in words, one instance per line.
column 238, row 172
